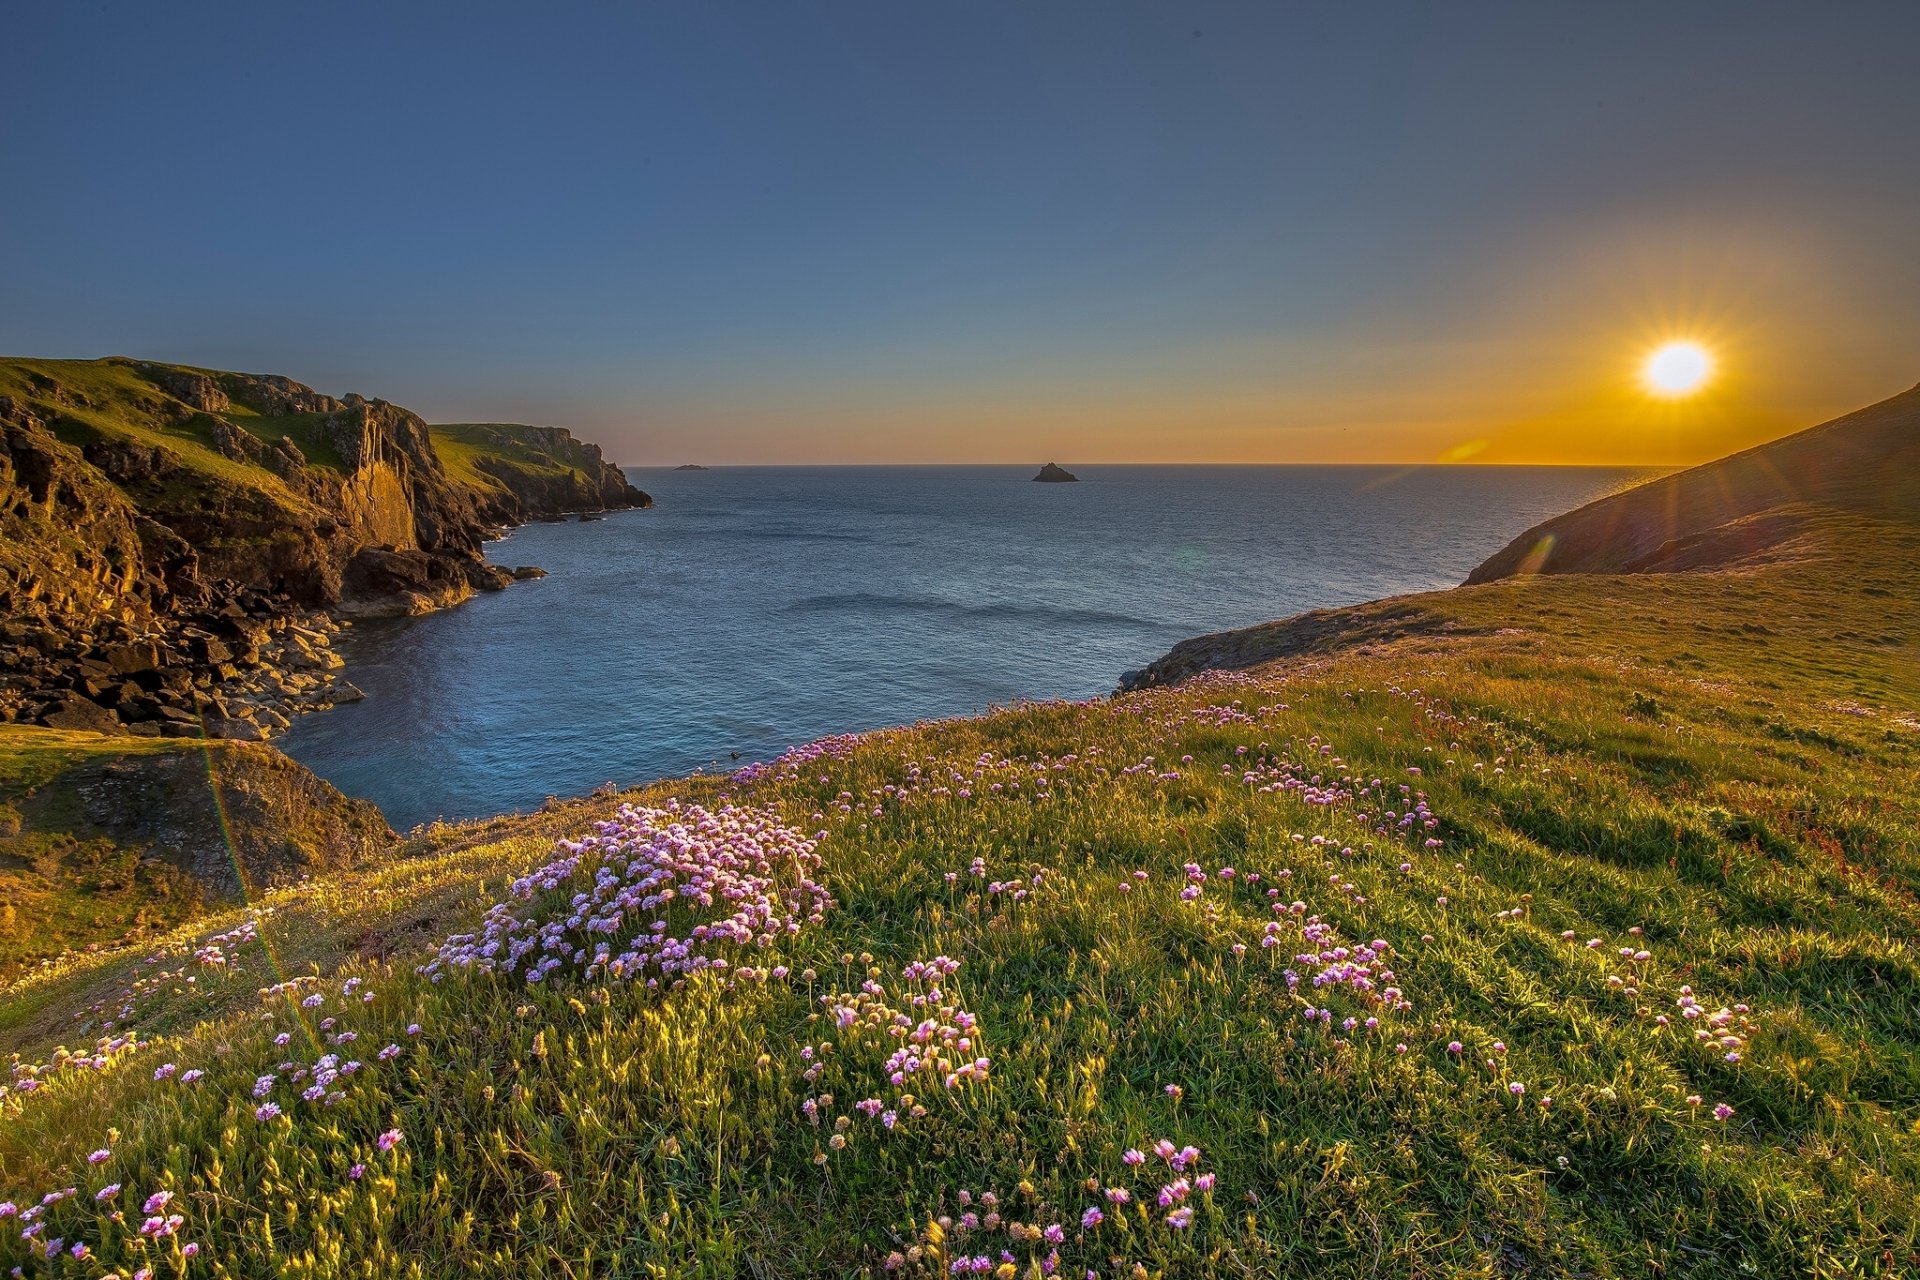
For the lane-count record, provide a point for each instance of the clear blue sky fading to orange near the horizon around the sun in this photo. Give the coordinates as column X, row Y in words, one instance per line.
column 892, row 233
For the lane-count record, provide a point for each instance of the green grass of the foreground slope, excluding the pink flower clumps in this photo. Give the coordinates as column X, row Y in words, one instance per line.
column 1723, row 763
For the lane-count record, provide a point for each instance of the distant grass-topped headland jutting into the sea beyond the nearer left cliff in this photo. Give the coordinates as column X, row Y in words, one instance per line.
column 525, row 473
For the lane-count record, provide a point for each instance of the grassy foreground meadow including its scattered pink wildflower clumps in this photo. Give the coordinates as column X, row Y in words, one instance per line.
column 1452, row 962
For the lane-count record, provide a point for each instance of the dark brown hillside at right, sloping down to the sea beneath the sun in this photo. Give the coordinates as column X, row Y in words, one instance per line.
column 1739, row 508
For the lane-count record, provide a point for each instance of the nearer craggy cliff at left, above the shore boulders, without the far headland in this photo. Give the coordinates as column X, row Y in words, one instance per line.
column 156, row 477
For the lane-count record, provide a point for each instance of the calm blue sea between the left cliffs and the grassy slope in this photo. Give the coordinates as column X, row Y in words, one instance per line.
column 763, row 607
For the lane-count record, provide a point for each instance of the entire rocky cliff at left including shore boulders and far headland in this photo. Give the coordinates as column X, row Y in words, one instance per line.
column 160, row 527
